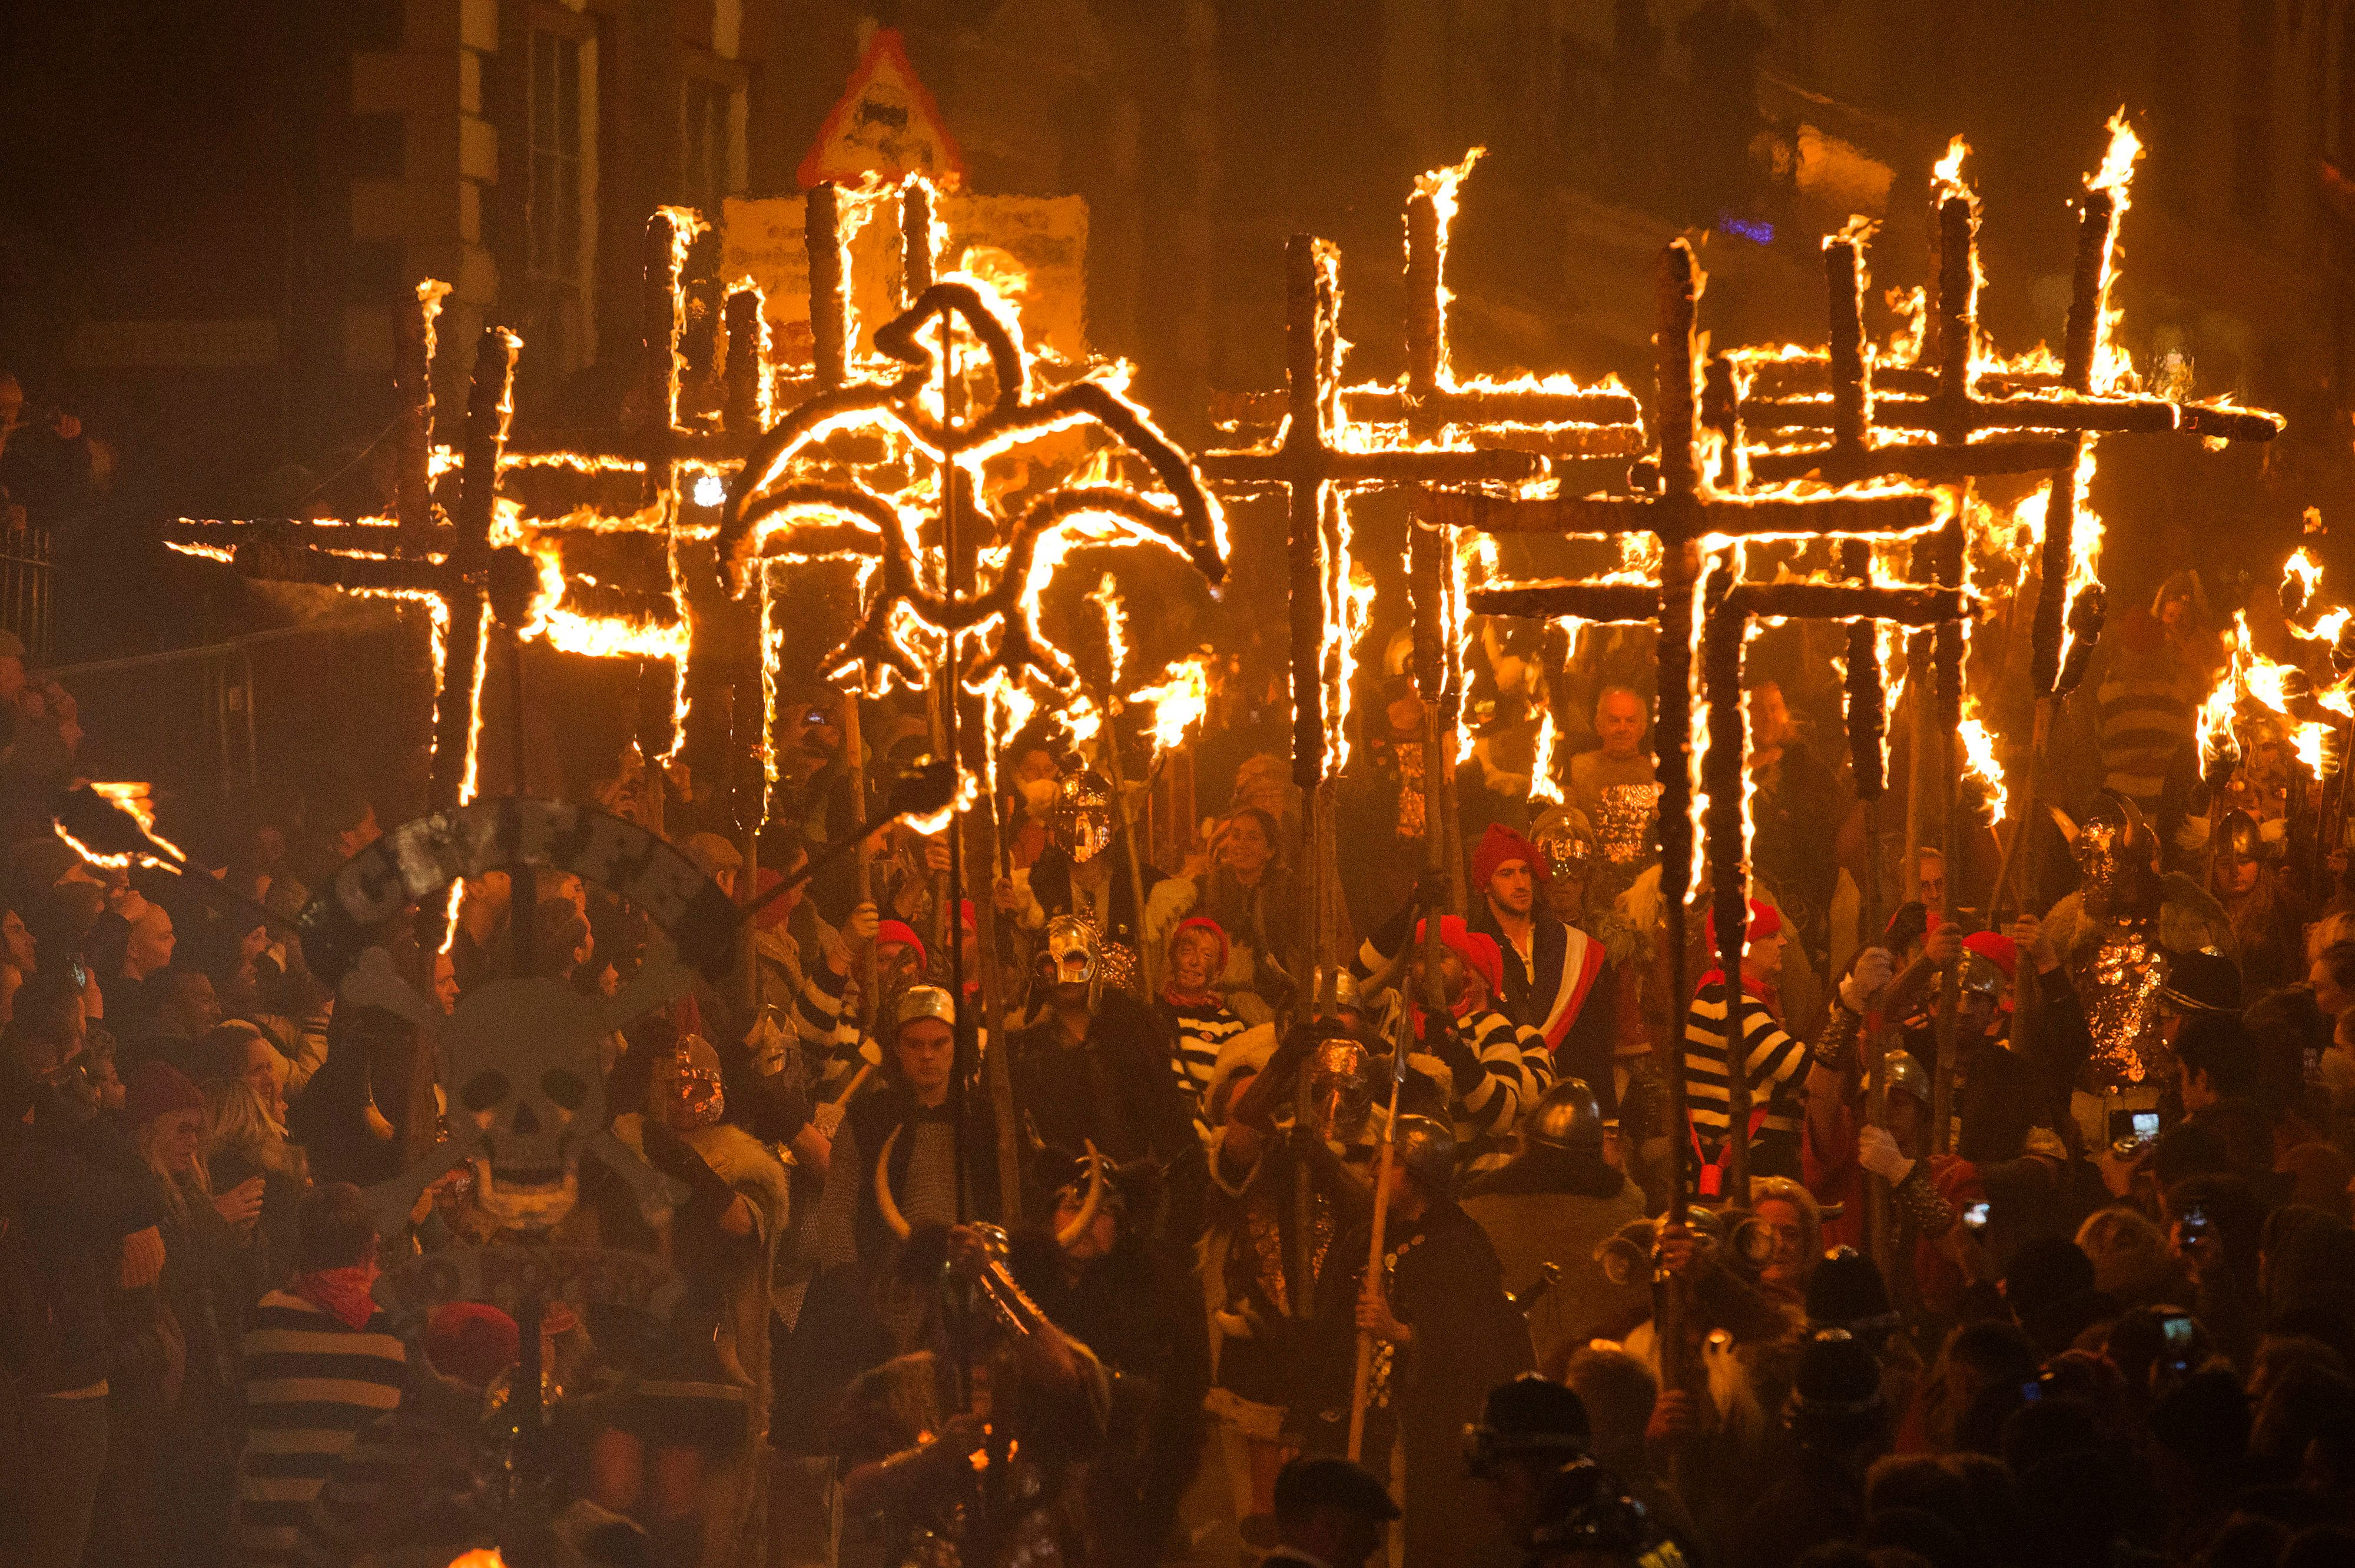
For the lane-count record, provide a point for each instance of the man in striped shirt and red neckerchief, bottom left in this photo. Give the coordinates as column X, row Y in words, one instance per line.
column 321, row 1362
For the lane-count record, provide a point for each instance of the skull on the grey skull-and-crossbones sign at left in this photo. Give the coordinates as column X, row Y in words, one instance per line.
column 522, row 1065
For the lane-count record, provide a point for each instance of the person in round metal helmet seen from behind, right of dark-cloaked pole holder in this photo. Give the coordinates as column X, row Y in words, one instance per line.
column 1555, row 1204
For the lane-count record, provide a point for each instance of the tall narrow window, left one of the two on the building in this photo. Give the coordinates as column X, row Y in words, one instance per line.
column 562, row 194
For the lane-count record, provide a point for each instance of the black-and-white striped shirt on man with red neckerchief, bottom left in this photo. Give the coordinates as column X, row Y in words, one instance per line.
column 310, row 1388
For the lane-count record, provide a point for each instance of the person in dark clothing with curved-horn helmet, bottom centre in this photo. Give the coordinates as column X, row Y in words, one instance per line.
column 1139, row 1308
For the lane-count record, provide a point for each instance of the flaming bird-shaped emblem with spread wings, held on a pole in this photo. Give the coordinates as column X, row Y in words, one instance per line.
column 800, row 500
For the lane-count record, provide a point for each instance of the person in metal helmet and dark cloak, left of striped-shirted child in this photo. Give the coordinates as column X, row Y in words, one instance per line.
column 1094, row 1070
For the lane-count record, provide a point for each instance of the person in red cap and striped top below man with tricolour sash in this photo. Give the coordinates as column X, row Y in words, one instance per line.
column 1485, row 1068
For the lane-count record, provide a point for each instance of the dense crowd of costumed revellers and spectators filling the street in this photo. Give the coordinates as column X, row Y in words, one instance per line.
column 1042, row 1228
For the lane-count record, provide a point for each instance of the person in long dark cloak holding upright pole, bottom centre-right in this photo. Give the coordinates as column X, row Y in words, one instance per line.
column 1445, row 1334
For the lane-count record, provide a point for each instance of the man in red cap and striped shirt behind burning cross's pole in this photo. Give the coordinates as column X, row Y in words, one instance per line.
column 1772, row 1061
